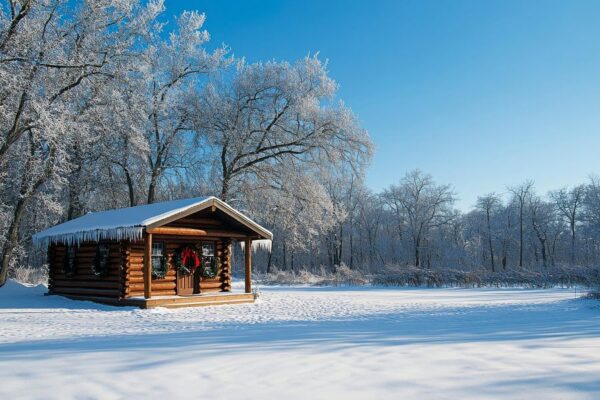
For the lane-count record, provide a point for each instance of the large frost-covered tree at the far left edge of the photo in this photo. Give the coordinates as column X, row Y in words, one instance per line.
column 51, row 53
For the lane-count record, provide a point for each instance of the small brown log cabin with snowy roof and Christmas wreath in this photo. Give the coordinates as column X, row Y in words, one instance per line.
column 170, row 254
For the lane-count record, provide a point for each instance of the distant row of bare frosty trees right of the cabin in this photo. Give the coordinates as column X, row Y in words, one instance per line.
column 415, row 224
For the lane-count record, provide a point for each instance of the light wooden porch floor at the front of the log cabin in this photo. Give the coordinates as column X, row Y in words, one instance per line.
column 195, row 300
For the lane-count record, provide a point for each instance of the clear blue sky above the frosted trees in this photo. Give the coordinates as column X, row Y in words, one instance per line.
column 480, row 94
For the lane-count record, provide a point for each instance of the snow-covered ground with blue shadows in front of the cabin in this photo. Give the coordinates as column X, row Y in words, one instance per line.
column 306, row 343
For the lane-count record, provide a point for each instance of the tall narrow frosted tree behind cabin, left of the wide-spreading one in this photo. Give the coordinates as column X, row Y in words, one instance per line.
column 168, row 75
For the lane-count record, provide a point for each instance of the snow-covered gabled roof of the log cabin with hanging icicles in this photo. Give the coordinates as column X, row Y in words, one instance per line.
column 129, row 223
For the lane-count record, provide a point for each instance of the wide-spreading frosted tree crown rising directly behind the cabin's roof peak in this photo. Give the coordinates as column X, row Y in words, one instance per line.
column 272, row 114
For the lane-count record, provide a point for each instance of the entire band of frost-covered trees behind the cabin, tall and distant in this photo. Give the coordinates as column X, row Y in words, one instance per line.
column 109, row 104
